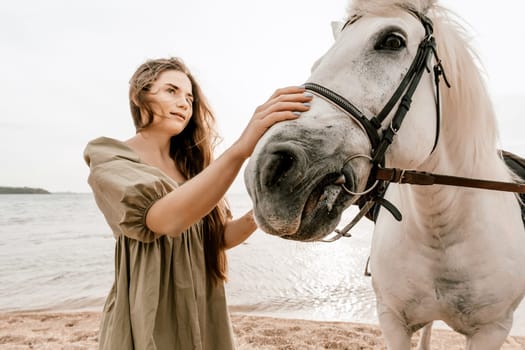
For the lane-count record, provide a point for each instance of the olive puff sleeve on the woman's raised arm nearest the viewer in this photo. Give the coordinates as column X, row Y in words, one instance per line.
column 124, row 188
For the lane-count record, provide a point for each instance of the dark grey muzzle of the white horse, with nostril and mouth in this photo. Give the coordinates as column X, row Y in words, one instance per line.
column 297, row 193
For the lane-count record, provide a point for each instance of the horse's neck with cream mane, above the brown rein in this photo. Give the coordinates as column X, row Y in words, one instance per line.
column 469, row 132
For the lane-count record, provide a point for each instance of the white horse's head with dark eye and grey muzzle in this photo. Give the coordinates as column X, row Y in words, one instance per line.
column 304, row 173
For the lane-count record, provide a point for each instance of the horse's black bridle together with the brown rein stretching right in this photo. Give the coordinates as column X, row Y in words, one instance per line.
column 381, row 137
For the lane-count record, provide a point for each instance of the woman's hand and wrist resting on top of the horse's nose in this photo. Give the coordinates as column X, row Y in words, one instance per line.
column 284, row 104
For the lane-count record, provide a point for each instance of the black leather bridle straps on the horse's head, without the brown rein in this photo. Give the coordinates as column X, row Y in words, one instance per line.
column 380, row 136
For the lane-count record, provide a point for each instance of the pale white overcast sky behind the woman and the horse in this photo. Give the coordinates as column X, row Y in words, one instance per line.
column 65, row 67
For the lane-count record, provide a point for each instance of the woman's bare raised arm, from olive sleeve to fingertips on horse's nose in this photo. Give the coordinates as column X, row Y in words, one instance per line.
column 179, row 209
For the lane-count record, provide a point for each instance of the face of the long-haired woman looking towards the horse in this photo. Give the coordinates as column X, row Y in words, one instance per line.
column 171, row 100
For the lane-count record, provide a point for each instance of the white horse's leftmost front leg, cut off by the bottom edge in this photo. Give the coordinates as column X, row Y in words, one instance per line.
column 395, row 331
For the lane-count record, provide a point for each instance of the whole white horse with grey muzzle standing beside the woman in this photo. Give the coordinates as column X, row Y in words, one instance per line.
column 458, row 253
